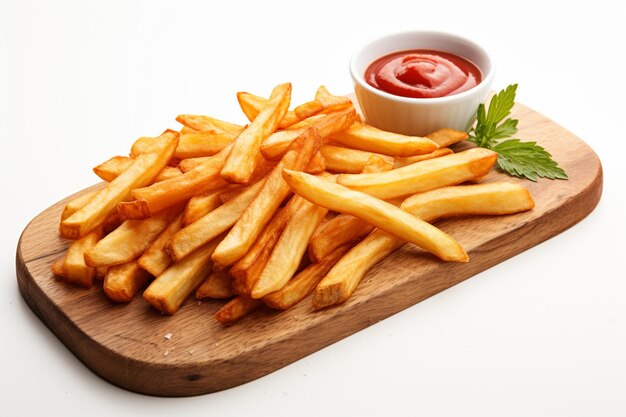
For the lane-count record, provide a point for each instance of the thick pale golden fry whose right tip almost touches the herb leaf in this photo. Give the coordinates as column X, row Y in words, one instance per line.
column 452, row 169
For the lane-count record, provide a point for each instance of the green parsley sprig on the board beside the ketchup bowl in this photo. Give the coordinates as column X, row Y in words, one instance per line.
column 520, row 159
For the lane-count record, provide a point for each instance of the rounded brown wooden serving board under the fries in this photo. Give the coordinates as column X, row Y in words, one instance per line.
column 126, row 343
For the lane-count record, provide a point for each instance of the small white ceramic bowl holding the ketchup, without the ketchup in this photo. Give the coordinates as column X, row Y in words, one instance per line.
column 420, row 116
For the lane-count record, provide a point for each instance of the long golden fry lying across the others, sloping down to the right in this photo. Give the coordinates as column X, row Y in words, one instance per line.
column 377, row 212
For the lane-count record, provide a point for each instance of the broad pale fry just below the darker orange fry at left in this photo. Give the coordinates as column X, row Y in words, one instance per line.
column 130, row 240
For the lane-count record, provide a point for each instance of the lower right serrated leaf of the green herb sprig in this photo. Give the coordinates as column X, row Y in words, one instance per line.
column 527, row 160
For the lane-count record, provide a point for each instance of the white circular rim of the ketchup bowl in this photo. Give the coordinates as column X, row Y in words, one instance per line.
column 485, row 82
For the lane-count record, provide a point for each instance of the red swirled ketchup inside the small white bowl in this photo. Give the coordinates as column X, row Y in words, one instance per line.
column 422, row 73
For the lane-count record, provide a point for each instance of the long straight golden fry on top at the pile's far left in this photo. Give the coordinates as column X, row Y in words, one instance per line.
column 145, row 168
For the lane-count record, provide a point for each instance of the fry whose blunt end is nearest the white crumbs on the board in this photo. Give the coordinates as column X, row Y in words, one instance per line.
column 170, row 289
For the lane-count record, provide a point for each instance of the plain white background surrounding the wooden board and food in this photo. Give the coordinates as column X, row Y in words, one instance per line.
column 541, row 334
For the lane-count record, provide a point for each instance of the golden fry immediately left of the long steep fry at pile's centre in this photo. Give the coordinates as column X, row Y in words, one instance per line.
column 203, row 230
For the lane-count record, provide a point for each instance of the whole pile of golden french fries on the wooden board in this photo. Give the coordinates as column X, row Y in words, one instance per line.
column 296, row 202
